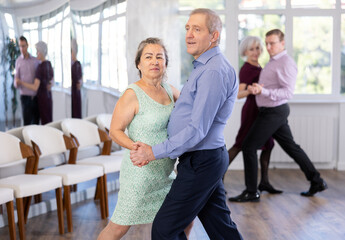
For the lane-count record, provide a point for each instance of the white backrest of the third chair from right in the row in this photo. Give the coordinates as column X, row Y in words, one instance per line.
column 50, row 140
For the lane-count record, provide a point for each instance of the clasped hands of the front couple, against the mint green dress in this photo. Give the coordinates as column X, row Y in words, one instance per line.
column 141, row 154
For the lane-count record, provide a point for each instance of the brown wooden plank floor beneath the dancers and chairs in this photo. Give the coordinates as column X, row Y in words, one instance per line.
column 287, row 216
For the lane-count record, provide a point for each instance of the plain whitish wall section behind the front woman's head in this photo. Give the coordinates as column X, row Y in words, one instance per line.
column 152, row 18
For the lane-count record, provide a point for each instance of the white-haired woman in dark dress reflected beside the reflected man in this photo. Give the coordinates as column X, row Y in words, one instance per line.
column 42, row 84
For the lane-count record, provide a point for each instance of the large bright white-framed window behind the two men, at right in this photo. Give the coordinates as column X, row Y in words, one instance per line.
column 311, row 35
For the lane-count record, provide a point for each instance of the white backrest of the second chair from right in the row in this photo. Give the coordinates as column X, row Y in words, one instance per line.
column 85, row 131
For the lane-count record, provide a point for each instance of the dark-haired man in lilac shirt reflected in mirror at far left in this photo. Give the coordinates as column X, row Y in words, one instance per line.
column 25, row 71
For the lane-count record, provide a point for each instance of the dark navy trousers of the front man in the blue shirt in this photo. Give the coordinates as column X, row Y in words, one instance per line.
column 197, row 191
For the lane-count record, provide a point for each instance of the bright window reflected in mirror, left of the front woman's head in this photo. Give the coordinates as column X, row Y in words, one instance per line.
column 101, row 36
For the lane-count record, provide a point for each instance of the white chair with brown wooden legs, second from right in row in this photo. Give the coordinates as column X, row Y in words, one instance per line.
column 88, row 134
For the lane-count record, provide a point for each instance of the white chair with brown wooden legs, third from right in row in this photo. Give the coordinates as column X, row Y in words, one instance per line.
column 47, row 141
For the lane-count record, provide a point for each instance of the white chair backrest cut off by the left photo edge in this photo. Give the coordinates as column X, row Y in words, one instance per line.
column 10, row 149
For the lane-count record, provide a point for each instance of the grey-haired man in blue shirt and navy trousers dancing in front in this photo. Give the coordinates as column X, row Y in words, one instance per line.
column 195, row 135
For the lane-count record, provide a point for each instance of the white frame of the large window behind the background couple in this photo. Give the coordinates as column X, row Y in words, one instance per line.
column 231, row 12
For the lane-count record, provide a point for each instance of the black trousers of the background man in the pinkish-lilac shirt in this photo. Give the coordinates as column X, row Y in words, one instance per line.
column 273, row 122
